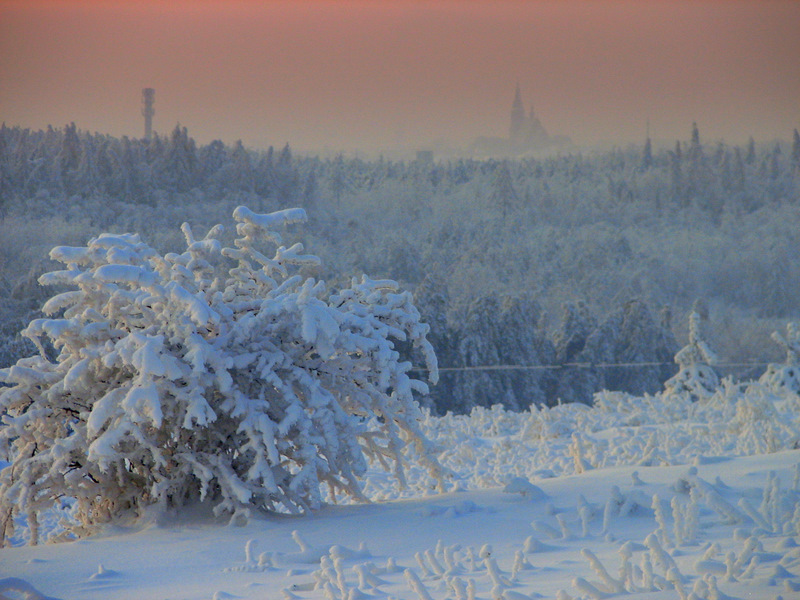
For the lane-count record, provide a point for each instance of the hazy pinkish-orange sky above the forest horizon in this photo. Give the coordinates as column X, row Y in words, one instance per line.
column 371, row 74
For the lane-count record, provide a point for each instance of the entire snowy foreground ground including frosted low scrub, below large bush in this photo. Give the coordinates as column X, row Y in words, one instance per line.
column 647, row 498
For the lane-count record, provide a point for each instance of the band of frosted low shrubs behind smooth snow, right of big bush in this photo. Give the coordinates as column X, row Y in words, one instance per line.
column 488, row 447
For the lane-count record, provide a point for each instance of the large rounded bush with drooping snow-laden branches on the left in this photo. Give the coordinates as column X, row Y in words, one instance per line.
column 219, row 375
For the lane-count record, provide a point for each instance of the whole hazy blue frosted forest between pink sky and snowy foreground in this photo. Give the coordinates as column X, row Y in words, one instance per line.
column 568, row 262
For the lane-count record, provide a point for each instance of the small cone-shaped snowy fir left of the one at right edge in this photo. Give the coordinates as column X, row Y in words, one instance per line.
column 695, row 376
